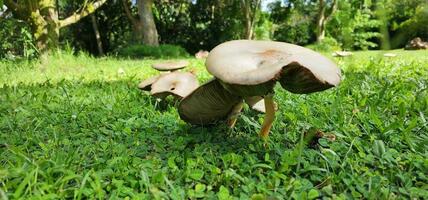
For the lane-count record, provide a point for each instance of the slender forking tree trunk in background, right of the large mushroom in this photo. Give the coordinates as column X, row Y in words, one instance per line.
column 324, row 13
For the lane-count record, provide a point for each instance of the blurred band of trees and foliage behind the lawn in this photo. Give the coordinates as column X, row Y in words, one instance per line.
column 129, row 27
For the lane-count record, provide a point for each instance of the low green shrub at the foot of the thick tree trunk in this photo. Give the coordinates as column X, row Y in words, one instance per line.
column 144, row 51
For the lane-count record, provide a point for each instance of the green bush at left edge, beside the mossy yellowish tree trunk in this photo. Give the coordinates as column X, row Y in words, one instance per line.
column 16, row 40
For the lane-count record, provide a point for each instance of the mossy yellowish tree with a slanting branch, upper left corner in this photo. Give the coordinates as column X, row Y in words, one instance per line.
column 42, row 16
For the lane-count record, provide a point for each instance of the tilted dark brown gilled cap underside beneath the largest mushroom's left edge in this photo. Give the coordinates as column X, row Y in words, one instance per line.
column 207, row 104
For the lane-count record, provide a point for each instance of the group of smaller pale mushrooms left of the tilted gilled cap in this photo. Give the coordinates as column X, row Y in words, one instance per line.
column 170, row 81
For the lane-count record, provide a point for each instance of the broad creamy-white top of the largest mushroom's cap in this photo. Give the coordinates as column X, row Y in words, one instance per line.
column 246, row 62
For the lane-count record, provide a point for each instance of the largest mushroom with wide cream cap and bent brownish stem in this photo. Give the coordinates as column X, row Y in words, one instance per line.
column 248, row 68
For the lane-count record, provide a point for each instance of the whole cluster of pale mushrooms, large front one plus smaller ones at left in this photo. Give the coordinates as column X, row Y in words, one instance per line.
column 246, row 71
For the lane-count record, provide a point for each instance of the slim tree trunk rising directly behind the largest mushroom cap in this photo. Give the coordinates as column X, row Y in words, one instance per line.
column 250, row 9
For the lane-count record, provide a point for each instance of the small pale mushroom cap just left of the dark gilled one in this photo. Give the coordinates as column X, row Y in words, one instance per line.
column 176, row 83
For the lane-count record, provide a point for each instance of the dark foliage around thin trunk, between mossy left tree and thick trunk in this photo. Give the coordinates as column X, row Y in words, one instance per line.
column 114, row 27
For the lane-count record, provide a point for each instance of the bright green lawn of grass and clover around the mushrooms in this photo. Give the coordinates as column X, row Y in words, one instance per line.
column 73, row 127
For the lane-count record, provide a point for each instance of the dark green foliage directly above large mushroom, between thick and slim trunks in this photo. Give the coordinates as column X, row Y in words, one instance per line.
column 202, row 24
